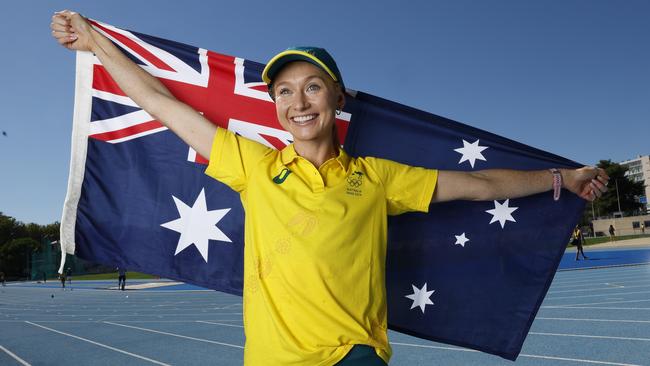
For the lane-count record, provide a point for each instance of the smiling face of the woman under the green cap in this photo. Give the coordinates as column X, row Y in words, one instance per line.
column 306, row 99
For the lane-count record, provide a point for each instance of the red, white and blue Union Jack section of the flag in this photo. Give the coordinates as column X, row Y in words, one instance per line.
column 226, row 90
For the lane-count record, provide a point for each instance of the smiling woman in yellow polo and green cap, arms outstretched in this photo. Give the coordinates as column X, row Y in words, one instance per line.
column 314, row 266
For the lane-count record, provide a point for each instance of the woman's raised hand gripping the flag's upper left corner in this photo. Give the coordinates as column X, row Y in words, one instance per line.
column 72, row 30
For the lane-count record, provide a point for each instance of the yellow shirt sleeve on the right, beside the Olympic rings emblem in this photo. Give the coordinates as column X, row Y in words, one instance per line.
column 407, row 188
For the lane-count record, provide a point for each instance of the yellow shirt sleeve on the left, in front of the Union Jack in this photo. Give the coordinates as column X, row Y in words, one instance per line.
column 233, row 157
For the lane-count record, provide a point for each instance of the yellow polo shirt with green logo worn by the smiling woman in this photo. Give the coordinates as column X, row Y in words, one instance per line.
column 315, row 247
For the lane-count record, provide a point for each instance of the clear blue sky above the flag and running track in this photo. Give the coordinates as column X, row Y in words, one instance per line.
column 566, row 76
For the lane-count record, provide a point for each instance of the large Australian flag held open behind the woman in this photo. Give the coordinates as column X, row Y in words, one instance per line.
column 471, row 274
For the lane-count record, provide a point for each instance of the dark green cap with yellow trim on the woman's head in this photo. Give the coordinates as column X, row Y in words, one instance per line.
column 316, row 56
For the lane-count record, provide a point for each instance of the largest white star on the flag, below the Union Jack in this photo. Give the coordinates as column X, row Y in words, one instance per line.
column 197, row 225
